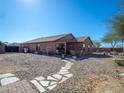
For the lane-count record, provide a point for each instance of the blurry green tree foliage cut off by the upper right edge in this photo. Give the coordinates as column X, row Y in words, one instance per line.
column 117, row 24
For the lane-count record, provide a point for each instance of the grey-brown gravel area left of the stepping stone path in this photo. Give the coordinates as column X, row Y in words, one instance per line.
column 37, row 65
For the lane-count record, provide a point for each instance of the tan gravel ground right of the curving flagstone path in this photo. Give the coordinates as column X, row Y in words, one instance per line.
column 86, row 73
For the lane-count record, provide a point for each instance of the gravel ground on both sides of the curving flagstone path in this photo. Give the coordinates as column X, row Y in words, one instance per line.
column 87, row 72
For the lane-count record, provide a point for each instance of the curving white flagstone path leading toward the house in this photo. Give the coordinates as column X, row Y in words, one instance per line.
column 51, row 82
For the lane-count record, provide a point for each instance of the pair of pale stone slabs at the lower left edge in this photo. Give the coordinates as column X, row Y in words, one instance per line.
column 7, row 78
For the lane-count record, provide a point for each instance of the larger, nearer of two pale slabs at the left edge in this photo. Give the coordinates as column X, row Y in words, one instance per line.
column 9, row 80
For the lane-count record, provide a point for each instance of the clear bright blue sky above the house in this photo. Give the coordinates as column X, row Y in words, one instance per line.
column 22, row 20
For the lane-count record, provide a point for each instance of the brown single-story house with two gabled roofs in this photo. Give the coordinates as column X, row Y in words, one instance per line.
column 67, row 43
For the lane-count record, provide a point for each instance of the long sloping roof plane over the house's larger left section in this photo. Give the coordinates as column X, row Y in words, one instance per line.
column 47, row 39
